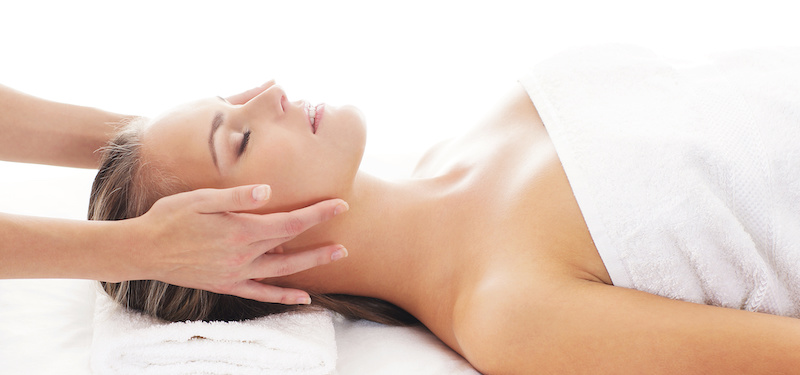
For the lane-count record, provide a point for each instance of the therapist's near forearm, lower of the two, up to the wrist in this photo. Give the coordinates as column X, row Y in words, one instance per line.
column 35, row 247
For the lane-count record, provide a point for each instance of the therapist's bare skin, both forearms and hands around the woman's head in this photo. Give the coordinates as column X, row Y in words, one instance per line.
column 196, row 239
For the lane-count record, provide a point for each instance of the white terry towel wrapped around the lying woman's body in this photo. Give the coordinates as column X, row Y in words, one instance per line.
column 687, row 174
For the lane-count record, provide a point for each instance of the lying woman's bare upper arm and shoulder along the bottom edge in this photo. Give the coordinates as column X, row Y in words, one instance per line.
column 588, row 327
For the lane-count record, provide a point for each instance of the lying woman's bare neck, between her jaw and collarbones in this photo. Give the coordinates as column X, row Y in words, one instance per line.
column 396, row 243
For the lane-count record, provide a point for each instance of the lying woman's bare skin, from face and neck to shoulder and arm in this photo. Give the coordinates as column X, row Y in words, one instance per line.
column 486, row 244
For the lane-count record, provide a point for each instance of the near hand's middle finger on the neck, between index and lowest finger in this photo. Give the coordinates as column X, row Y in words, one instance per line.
column 277, row 265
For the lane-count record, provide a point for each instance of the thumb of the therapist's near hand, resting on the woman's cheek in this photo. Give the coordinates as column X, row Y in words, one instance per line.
column 240, row 198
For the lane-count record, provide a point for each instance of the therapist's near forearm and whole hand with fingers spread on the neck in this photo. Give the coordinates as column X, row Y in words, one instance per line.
column 194, row 239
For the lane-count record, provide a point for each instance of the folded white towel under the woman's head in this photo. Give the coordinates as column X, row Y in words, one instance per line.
column 127, row 342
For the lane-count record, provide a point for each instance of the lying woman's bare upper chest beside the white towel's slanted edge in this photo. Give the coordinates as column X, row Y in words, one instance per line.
column 512, row 195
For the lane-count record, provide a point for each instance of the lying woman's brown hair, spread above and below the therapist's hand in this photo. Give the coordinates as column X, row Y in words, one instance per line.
column 126, row 187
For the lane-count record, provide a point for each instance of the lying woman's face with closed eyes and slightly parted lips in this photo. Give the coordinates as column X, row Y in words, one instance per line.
column 304, row 152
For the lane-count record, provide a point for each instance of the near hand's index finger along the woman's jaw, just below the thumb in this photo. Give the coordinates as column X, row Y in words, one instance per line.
column 286, row 225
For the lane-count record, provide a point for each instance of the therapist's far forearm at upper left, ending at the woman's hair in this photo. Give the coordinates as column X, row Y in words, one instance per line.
column 34, row 130
